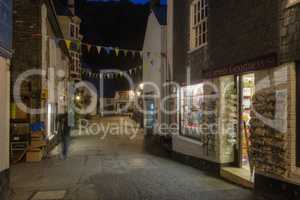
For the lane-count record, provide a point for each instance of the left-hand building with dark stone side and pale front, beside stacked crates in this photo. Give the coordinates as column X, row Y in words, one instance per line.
column 39, row 44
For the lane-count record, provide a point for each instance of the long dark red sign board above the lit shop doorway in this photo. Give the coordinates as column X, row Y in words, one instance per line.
column 249, row 66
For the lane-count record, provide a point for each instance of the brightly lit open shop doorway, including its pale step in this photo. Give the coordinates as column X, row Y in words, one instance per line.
column 241, row 169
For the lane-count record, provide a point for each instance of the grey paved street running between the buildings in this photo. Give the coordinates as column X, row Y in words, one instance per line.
column 118, row 168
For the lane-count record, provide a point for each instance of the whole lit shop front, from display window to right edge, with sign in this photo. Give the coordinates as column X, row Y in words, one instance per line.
column 241, row 119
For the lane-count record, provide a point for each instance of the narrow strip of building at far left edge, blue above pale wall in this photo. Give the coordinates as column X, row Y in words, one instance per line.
column 5, row 57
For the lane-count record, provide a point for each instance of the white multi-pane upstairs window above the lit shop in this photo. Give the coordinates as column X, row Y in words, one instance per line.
column 198, row 23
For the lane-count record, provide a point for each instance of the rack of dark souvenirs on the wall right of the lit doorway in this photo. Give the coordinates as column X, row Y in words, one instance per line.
column 269, row 146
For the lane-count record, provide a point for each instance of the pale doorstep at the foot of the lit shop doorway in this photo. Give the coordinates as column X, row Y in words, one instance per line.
column 239, row 176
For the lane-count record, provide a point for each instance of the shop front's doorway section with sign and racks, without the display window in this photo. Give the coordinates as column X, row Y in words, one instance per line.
column 257, row 121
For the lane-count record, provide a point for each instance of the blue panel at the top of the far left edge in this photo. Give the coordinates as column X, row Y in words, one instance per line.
column 5, row 24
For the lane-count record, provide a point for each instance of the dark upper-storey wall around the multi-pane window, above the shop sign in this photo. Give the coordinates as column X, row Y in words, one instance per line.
column 237, row 31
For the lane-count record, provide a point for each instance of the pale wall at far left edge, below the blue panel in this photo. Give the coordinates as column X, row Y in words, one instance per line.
column 4, row 113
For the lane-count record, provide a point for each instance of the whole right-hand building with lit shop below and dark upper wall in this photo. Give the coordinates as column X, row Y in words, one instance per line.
column 237, row 66
